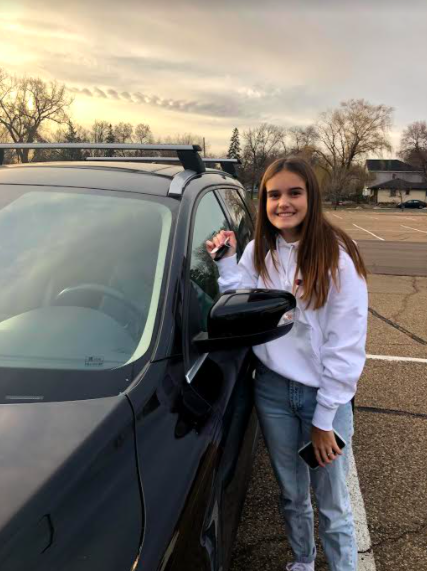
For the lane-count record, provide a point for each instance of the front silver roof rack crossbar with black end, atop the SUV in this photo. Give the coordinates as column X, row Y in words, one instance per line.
column 188, row 155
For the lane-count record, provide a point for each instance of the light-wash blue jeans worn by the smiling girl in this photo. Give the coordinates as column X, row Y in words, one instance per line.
column 285, row 411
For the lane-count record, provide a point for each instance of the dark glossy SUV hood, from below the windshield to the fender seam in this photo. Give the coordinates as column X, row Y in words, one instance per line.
column 61, row 488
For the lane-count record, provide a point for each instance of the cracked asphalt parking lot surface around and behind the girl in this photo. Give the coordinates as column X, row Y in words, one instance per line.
column 390, row 475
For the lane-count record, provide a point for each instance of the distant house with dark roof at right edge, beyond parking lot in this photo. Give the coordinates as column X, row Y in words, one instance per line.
column 394, row 181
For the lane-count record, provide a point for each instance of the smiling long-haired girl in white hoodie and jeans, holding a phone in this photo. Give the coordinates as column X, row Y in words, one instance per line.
column 305, row 380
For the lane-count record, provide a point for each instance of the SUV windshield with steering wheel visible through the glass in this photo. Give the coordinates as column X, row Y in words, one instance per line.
column 80, row 276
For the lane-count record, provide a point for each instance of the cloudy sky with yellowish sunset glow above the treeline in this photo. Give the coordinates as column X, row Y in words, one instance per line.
column 206, row 67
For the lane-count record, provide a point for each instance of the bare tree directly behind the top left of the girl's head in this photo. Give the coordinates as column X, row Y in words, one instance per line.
column 262, row 145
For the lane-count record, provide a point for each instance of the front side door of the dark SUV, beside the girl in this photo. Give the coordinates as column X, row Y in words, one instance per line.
column 222, row 378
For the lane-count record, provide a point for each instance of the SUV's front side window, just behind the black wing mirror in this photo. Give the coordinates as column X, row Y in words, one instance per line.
column 204, row 290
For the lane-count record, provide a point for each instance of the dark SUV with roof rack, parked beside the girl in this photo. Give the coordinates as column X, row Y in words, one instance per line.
column 125, row 389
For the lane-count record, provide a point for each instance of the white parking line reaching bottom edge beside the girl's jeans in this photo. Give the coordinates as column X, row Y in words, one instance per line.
column 366, row 561
